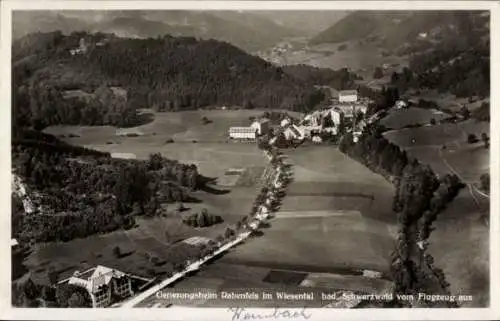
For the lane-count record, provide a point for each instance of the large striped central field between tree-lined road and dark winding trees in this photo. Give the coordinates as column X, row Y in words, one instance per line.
column 335, row 222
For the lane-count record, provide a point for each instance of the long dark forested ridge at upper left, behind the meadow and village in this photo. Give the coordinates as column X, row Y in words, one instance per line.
column 165, row 74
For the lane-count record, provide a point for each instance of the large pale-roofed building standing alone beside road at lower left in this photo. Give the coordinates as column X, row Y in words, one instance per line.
column 103, row 284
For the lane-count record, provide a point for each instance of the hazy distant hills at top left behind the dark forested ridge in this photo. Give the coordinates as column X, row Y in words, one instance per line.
column 246, row 30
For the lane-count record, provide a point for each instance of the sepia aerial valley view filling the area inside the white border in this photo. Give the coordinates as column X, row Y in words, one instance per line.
column 211, row 158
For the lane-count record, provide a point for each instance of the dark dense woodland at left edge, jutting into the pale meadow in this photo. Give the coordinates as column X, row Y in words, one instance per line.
column 80, row 195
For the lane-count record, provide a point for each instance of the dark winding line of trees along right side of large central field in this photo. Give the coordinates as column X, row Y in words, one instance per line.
column 419, row 197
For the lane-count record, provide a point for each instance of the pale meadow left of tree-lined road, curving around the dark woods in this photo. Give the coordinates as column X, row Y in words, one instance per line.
column 215, row 157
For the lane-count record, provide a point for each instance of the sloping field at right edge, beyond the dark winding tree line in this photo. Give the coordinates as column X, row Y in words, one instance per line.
column 460, row 243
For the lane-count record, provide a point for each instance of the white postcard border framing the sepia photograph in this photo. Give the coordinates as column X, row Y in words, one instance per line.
column 7, row 312
